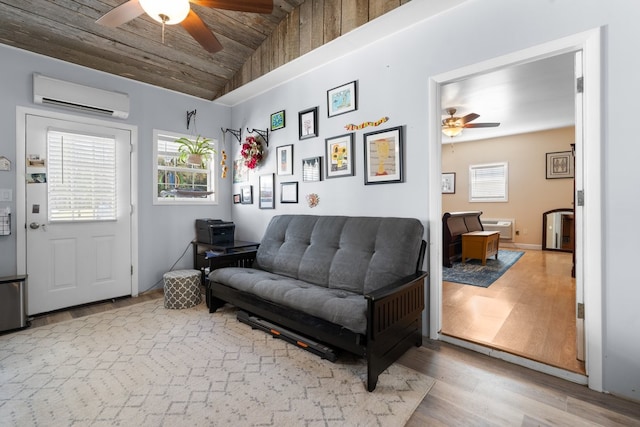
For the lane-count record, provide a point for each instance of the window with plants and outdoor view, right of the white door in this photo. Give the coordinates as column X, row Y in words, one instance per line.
column 178, row 181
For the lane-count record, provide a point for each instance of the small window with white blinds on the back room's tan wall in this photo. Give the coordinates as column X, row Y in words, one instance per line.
column 489, row 183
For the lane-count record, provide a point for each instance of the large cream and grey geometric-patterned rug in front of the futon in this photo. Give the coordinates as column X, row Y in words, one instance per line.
column 145, row 365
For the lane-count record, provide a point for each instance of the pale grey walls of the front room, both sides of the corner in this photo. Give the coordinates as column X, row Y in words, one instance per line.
column 393, row 76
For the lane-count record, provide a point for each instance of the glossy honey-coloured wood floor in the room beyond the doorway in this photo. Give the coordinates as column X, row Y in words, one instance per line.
column 529, row 311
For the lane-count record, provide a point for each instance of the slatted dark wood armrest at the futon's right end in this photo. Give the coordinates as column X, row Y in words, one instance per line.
column 391, row 308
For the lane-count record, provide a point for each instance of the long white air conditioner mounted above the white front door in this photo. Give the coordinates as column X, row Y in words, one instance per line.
column 50, row 91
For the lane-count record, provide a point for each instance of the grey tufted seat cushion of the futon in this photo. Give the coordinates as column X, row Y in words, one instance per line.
column 334, row 305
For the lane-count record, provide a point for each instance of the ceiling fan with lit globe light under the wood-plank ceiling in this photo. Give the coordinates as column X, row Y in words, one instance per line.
column 171, row 12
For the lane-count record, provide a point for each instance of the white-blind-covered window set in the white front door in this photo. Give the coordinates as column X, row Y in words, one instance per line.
column 81, row 177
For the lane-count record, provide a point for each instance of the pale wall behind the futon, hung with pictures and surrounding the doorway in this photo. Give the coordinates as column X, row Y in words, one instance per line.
column 393, row 78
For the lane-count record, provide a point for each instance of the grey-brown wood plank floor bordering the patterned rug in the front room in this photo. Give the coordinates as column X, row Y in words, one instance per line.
column 471, row 389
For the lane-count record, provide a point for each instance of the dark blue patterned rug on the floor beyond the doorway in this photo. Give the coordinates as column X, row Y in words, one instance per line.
column 476, row 274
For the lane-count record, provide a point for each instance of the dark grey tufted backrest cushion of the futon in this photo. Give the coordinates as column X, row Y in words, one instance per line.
column 358, row 254
